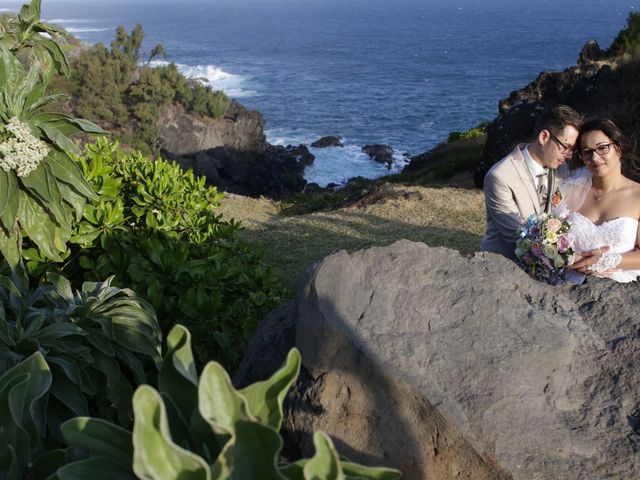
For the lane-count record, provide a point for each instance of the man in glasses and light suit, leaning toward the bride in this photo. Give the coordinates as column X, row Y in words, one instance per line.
column 523, row 183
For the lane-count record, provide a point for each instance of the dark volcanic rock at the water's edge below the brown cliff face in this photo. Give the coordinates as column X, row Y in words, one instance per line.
column 275, row 172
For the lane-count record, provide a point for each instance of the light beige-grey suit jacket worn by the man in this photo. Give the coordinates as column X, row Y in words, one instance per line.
column 510, row 197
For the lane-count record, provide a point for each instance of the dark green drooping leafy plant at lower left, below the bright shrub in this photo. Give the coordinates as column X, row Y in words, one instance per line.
column 99, row 342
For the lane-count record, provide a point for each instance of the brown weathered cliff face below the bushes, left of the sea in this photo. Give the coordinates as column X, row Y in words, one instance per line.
column 182, row 133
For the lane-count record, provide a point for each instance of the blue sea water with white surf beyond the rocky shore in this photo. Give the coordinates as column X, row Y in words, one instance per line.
column 402, row 73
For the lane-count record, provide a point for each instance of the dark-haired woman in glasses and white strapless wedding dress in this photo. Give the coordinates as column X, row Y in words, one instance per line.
column 603, row 206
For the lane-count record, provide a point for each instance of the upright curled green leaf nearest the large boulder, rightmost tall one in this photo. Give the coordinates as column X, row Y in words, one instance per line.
column 265, row 398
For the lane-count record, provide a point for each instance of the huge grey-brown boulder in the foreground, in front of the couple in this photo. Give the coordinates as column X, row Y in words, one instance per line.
column 453, row 367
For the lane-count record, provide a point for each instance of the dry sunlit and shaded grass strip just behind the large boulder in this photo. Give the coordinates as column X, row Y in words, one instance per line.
column 437, row 216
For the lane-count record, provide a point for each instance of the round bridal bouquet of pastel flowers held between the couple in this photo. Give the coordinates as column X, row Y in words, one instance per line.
column 544, row 249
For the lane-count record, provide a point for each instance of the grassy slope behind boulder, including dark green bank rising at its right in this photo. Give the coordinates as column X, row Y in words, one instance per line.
column 425, row 205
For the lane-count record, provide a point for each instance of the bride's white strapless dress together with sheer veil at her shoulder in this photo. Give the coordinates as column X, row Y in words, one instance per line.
column 617, row 233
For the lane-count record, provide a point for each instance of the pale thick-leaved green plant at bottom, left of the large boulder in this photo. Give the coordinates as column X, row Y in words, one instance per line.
column 203, row 430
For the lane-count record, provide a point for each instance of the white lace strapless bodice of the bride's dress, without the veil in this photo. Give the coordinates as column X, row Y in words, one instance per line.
column 618, row 233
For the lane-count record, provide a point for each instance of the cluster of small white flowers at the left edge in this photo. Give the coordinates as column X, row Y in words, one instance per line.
column 23, row 152
